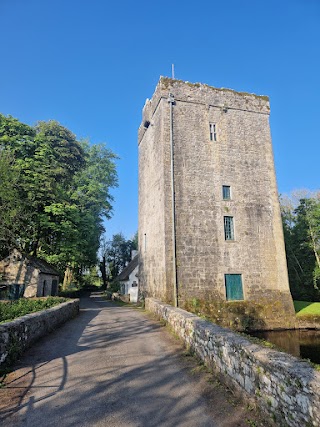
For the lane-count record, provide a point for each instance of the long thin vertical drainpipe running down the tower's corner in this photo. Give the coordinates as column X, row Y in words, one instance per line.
column 173, row 207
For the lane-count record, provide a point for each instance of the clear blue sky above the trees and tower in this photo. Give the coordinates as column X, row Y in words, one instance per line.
column 91, row 65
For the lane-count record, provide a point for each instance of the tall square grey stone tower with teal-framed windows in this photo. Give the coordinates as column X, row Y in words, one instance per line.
column 210, row 230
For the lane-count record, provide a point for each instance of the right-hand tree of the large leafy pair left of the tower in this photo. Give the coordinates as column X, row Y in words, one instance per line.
column 89, row 204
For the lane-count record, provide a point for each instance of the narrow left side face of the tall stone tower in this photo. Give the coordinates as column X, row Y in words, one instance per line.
column 153, row 246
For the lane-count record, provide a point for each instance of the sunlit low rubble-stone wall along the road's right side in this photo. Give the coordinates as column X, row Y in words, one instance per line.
column 287, row 388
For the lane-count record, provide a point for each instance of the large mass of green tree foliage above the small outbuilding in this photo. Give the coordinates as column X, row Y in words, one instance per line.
column 54, row 193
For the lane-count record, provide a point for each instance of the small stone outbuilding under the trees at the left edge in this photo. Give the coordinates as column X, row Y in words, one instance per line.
column 30, row 276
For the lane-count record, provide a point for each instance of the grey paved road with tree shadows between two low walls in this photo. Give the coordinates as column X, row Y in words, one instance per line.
column 111, row 366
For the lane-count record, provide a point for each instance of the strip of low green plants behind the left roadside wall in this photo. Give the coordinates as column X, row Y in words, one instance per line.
column 14, row 309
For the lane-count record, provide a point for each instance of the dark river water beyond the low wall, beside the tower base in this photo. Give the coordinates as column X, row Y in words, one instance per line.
column 301, row 343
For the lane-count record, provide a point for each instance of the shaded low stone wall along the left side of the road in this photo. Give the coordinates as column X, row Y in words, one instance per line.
column 18, row 335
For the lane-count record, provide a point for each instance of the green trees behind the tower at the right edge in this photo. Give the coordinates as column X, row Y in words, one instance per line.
column 301, row 224
